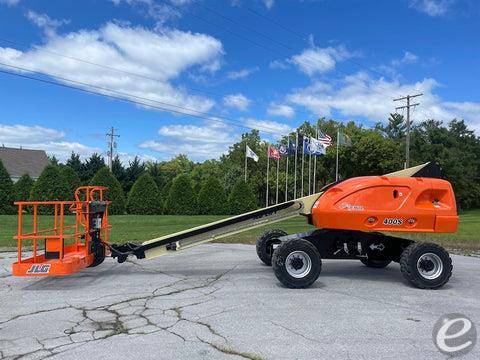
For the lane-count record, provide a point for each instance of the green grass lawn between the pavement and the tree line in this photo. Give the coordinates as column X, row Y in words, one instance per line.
column 137, row 228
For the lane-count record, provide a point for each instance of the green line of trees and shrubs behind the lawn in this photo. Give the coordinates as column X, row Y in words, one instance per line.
column 182, row 186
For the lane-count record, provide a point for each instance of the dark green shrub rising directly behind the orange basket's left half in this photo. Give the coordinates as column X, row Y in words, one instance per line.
column 50, row 186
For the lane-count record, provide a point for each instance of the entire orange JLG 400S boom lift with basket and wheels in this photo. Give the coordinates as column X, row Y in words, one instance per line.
column 352, row 217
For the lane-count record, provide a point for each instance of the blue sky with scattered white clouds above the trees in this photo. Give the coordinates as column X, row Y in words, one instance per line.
column 190, row 76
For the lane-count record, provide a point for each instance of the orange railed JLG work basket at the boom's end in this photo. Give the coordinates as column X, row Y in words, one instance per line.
column 63, row 246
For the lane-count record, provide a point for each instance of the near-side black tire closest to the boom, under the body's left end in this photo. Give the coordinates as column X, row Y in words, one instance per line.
column 284, row 259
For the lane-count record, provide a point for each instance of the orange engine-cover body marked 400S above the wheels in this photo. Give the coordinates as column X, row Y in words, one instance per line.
column 381, row 203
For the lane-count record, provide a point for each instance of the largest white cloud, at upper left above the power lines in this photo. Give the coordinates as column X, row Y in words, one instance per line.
column 157, row 58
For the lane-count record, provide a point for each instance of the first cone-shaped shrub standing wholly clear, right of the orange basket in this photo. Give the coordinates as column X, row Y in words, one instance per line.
column 144, row 197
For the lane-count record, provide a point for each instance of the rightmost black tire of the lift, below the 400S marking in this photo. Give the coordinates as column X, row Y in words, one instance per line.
column 412, row 265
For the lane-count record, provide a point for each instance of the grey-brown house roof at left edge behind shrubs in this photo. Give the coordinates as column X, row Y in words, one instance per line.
column 23, row 161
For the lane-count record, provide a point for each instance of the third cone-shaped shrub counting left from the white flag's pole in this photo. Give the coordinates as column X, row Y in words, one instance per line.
column 181, row 197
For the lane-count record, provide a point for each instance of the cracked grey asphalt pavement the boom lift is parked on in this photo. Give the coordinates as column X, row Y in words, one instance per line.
column 218, row 301
